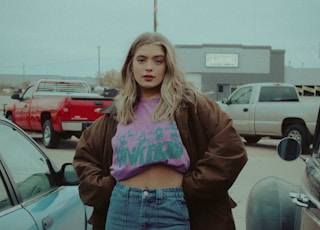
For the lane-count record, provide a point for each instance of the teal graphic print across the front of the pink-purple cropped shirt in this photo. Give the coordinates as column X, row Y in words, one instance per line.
column 138, row 145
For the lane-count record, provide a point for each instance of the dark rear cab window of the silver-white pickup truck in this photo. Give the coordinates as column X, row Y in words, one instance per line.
column 274, row 93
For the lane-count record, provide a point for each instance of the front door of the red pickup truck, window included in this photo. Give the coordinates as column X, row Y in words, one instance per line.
column 22, row 110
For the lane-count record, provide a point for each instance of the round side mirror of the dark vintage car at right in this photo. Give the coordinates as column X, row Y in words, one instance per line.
column 289, row 149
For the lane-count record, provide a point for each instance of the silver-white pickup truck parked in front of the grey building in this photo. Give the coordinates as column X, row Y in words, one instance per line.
column 271, row 110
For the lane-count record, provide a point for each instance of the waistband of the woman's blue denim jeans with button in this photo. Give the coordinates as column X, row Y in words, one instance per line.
column 159, row 193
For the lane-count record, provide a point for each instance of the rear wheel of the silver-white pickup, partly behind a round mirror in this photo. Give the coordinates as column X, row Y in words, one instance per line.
column 300, row 133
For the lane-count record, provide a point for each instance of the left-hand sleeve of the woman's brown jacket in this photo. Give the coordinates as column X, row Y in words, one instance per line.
column 91, row 162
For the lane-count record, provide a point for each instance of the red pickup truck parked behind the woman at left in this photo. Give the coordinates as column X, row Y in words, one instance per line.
column 56, row 108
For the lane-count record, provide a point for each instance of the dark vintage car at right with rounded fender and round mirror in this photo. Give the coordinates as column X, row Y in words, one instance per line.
column 276, row 204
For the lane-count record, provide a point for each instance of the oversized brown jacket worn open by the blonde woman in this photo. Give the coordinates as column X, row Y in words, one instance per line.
column 217, row 155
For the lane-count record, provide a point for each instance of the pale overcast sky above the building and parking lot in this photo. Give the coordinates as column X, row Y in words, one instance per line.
column 62, row 36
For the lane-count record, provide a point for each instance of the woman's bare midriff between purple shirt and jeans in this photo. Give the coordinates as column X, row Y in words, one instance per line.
column 158, row 176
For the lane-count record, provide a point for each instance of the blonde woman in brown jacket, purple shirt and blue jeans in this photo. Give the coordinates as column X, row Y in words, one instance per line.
column 164, row 156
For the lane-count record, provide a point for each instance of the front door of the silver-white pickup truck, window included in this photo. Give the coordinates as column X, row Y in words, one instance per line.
column 239, row 109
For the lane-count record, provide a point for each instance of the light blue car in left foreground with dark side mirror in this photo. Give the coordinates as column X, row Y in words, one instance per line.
column 34, row 193
